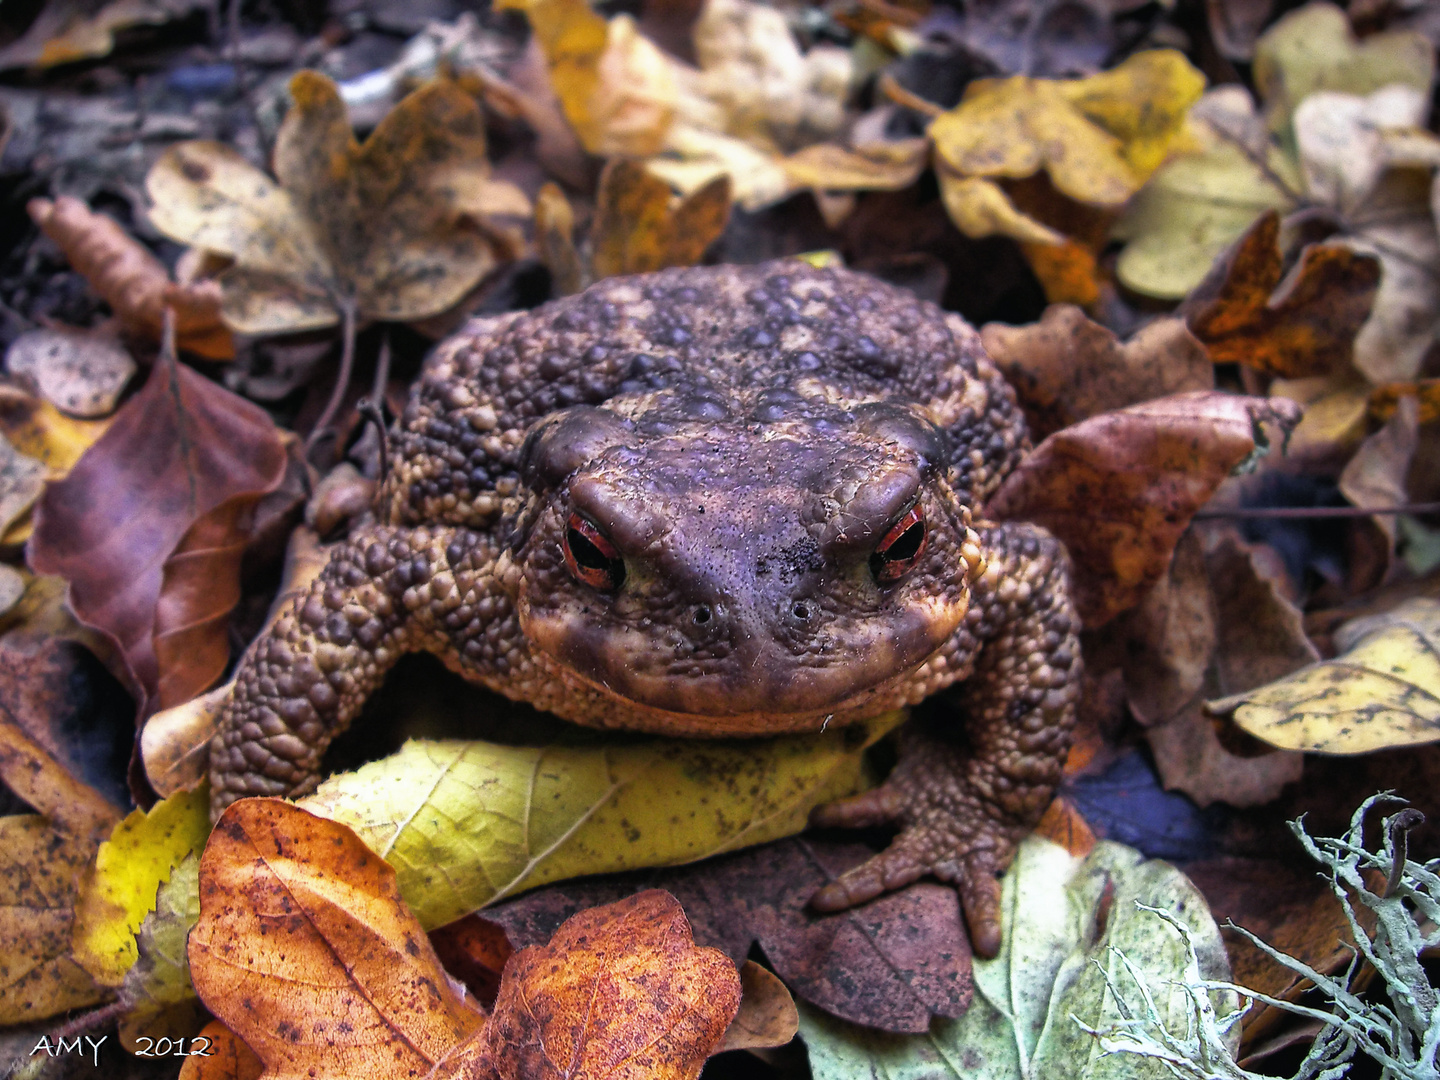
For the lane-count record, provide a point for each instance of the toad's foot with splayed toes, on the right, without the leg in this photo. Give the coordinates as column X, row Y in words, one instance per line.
column 945, row 832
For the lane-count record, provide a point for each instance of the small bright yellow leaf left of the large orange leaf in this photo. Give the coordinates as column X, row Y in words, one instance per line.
column 129, row 869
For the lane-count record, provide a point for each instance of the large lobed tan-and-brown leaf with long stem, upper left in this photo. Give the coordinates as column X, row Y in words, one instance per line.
column 379, row 230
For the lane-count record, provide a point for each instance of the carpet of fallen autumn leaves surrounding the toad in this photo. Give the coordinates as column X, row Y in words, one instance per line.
column 1275, row 237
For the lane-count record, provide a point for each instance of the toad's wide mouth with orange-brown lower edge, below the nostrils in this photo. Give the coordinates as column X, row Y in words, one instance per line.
column 754, row 683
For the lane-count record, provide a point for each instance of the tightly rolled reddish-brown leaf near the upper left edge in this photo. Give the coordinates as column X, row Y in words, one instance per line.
column 132, row 280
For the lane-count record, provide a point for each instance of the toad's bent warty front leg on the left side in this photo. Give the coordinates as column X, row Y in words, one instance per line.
column 384, row 594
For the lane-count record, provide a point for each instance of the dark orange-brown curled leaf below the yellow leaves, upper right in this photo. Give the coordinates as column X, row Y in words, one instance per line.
column 1304, row 326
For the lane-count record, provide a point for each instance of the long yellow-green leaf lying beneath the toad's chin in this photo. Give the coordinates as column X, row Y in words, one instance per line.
column 466, row 824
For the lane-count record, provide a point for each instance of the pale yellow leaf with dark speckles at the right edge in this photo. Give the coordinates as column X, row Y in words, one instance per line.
column 1382, row 692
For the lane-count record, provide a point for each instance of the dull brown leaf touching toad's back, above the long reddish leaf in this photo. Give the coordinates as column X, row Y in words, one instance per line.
column 1068, row 368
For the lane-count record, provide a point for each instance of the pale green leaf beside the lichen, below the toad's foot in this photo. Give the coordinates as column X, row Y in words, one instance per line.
column 1023, row 1022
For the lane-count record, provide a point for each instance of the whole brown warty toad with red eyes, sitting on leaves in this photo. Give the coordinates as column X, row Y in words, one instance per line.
column 714, row 502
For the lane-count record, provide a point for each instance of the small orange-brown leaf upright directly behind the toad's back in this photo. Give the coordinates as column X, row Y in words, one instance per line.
column 639, row 231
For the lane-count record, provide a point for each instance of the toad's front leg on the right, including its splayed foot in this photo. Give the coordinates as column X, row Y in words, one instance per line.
column 964, row 803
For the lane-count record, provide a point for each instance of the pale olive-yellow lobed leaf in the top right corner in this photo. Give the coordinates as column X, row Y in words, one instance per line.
column 1315, row 50
